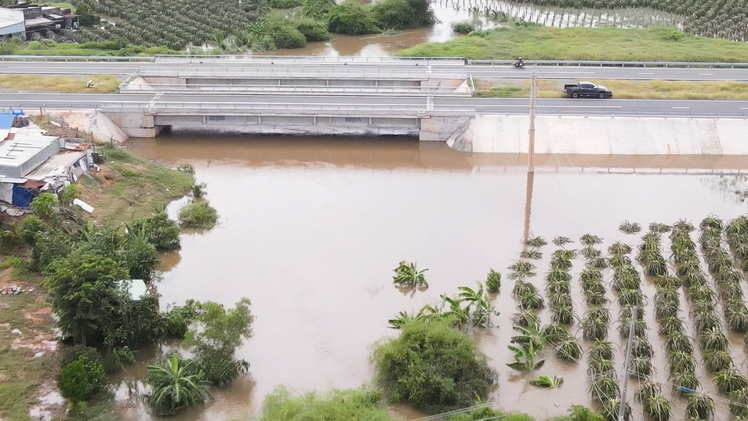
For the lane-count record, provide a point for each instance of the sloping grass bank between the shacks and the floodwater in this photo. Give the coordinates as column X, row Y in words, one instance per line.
column 129, row 187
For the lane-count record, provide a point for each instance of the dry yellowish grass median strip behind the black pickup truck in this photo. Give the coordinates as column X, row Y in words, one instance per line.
column 622, row 89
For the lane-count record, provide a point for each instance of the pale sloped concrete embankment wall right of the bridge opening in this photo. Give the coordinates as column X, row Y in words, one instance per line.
column 605, row 136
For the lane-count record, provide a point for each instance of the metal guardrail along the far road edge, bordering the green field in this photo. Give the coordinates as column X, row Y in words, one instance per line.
column 582, row 63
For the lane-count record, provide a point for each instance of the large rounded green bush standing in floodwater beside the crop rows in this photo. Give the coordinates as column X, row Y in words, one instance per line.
column 433, row 367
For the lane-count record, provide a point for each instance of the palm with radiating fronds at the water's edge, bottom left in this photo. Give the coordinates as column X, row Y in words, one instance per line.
column 176, row 384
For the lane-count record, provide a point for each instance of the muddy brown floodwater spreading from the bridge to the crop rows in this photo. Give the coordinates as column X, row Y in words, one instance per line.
column 310, row 229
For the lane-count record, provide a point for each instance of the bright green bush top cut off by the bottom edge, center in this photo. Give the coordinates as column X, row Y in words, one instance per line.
column 337, row 405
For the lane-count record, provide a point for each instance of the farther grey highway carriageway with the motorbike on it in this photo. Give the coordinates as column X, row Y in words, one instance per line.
column 436, row 70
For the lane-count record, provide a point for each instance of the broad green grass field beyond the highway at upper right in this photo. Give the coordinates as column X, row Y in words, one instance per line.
column 542, row 43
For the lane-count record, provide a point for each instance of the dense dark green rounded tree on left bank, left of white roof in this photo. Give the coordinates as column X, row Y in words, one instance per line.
column 83, row 289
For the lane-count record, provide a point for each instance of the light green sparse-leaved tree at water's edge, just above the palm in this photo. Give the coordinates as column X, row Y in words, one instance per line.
column 215, row 335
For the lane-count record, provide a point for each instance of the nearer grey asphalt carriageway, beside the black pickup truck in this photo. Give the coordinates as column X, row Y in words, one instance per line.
column 443, row 105
